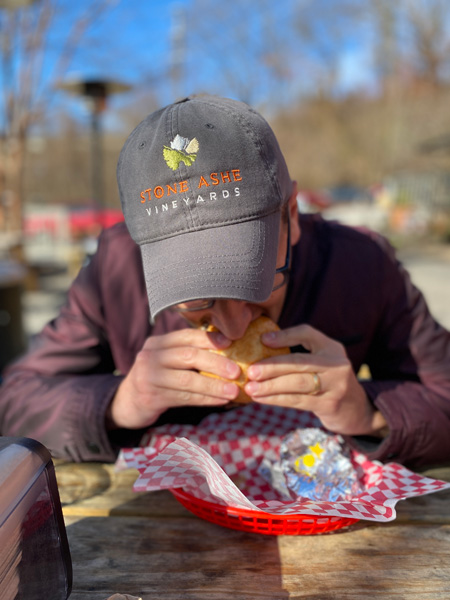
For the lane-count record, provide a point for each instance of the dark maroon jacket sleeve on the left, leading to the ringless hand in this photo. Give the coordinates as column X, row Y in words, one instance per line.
column 59, row 391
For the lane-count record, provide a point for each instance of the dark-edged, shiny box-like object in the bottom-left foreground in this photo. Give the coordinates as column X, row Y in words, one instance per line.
column 35, row 562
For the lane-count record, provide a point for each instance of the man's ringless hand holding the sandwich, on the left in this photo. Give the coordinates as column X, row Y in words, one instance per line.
column 165, row 375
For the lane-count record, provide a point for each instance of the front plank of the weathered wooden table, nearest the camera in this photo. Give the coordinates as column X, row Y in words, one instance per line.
column 178, row 559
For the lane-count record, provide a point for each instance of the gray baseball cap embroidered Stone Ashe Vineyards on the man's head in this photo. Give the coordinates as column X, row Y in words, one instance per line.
column 202, row 183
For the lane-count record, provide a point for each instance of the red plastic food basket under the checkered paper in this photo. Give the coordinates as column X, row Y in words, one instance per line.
column 259, row 522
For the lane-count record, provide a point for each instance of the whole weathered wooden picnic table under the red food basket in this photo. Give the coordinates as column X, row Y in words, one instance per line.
column 147, row 545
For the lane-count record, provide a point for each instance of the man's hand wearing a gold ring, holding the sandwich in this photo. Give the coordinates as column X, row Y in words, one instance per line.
column 293, row 381
